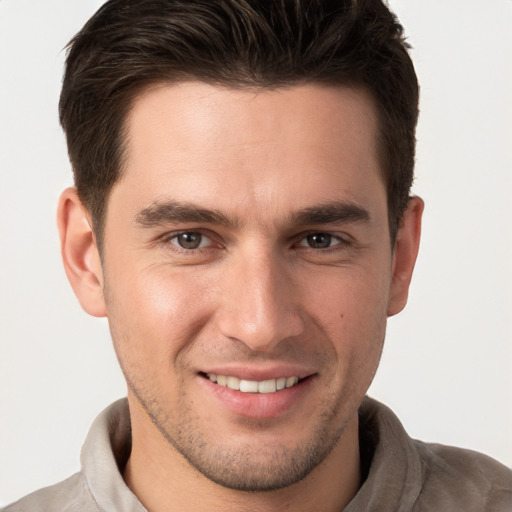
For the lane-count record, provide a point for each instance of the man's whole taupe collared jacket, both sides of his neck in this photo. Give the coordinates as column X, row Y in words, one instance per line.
column 401, row 474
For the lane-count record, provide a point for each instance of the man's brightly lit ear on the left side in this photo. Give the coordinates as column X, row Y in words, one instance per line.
column 80, row 254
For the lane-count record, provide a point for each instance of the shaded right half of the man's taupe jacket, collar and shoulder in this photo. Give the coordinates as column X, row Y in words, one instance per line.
column 406, row 475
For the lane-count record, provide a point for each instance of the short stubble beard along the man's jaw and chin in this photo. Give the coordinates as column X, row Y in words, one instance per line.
column 248, row 467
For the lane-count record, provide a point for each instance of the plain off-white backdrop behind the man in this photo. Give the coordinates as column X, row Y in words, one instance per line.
column 447, row 363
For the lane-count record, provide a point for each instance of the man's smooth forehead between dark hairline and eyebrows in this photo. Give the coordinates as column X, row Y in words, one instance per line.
column 283, row 148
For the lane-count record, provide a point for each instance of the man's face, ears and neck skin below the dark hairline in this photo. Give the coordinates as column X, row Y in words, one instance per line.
column 275, row 288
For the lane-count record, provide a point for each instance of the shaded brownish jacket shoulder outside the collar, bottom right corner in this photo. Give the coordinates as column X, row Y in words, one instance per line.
column 471, row 480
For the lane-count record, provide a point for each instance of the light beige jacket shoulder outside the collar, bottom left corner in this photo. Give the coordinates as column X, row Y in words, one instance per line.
column 71, row 495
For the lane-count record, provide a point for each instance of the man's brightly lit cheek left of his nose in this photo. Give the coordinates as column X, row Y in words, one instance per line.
column 154, row 314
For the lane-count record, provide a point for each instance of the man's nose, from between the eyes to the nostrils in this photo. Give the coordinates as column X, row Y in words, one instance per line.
column 259, row 306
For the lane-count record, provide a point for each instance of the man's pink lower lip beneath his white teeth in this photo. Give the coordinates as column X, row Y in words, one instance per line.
column 258, row 405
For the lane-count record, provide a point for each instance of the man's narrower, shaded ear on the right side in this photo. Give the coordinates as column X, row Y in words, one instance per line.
column 406, row 250
